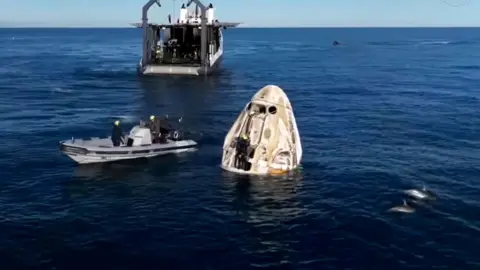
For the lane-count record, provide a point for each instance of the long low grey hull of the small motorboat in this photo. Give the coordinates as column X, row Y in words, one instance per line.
column 82, row 153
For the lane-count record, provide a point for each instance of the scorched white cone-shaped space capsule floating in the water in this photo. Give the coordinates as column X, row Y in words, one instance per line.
column 273, row 140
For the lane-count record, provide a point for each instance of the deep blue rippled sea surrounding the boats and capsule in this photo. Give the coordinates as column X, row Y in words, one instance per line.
column 388, row 110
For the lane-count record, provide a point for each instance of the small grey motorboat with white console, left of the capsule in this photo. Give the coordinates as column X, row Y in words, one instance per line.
column 138, row 144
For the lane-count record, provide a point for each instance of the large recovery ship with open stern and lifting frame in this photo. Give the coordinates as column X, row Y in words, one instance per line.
column 191, row 46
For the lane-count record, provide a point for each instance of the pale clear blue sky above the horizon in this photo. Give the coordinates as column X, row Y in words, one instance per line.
column 251, row 12
